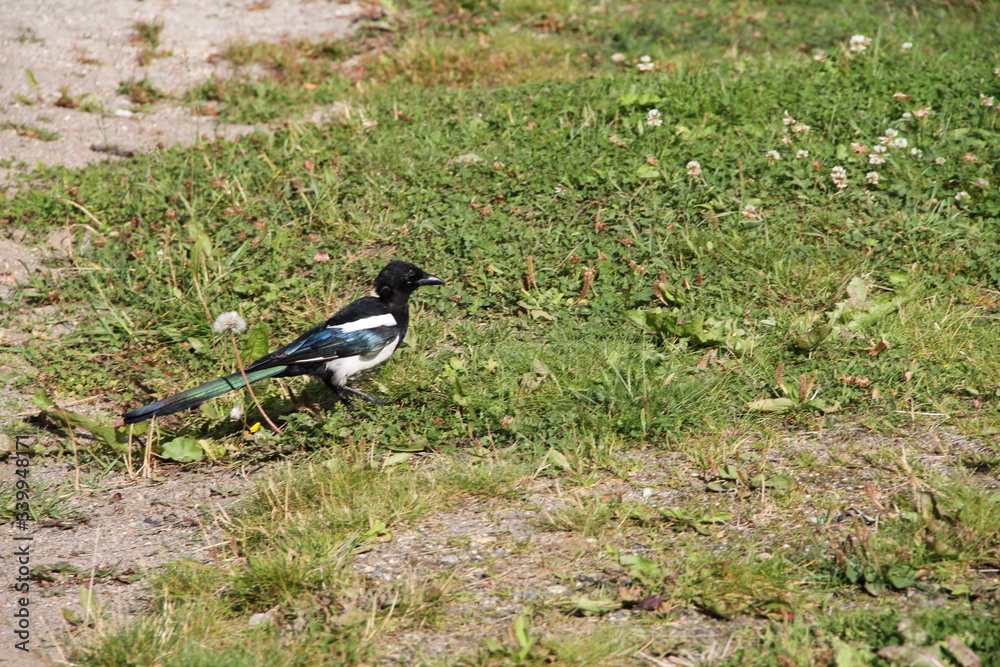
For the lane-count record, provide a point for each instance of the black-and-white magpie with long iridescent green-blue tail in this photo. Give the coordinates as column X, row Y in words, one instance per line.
column 361, row 335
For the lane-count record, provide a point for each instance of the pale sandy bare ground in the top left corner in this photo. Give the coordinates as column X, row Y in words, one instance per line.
column 83, row 50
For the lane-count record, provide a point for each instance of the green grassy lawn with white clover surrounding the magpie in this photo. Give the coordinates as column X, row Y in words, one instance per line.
column 714, row 374
